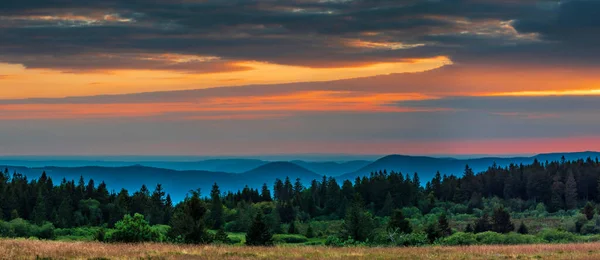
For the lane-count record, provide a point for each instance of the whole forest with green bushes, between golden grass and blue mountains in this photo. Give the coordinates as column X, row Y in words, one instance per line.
column 544, row 202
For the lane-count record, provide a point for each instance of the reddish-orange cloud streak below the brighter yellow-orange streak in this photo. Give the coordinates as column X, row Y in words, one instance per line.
column 234, row 107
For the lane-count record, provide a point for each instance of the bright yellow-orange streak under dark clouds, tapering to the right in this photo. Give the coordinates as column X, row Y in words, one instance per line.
column 32, row 83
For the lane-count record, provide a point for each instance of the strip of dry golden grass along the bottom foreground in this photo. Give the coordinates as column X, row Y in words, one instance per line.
column 30, row 249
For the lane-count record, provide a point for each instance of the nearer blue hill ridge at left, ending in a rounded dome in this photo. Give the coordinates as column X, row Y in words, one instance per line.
column 176, row 183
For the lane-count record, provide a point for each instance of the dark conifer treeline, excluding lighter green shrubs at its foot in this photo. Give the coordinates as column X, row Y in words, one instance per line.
column 361, row 205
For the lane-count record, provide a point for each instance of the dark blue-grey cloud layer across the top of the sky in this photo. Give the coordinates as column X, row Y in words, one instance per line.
column 55, row 34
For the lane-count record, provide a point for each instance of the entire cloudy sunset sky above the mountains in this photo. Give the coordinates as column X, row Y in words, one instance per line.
column 256, row 77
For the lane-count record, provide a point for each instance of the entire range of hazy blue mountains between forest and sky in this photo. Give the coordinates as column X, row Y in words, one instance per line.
column 179, row 182
